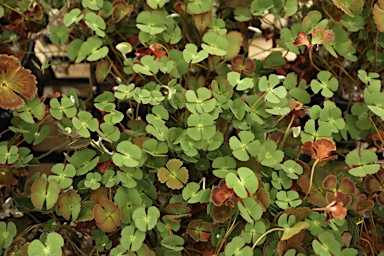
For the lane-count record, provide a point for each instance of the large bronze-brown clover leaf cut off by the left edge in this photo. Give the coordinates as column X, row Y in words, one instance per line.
column 15, row 79
